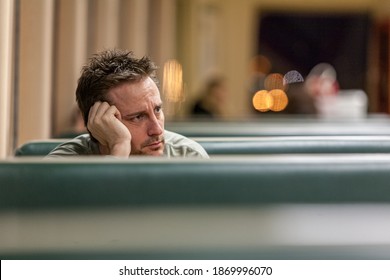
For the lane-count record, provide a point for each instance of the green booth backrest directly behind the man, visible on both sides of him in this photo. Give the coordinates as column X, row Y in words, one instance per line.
column 257, row 145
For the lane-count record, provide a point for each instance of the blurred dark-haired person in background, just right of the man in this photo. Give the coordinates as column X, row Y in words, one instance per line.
column 212, row 99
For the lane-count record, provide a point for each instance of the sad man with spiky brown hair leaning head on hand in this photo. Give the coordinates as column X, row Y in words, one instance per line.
column 122, row 110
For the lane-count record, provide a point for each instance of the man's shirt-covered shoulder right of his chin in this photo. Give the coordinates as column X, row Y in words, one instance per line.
column 177, row 145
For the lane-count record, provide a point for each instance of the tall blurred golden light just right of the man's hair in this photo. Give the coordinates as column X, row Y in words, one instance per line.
column 173, row 87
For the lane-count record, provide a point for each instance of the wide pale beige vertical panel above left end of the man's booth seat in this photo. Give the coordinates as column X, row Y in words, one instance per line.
column 36, row 68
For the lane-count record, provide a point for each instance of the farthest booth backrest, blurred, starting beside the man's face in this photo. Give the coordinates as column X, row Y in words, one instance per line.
column 282, row 127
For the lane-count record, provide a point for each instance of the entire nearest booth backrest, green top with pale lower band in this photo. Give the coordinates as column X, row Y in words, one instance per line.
column 273, row 206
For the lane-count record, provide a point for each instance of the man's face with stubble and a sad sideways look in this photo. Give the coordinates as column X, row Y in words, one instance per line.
column 140, row 106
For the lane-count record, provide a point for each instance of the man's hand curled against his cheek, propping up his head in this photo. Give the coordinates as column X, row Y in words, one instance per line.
column 104, row 123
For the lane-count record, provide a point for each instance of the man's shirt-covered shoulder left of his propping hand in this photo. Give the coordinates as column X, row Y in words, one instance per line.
column 80, row 145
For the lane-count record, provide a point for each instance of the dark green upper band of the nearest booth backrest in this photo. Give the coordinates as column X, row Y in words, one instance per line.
column 270, row 178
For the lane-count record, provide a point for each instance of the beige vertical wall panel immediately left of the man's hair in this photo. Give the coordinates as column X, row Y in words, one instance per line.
column 71, row 54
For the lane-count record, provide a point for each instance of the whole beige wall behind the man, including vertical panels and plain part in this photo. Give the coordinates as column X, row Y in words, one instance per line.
column 206, row 36
